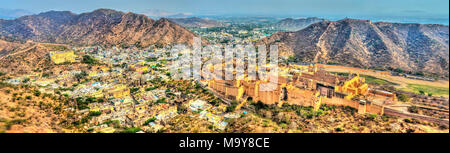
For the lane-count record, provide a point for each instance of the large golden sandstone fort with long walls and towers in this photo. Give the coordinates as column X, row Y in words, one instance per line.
column 307, row 86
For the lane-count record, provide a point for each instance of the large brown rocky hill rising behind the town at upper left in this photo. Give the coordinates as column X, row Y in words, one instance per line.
column 100, row 27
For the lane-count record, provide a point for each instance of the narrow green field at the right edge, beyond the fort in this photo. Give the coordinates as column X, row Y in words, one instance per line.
column 425, row 89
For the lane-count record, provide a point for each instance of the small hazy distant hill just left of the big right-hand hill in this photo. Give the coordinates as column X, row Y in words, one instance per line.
column 290, row 24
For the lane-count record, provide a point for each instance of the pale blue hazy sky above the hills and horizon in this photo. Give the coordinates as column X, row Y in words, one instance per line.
column 321, row 8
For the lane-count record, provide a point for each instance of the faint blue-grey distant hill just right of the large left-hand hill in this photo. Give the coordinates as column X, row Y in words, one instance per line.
column 197, row 22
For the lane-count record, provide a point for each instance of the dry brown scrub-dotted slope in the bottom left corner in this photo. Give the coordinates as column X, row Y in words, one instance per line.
column 22, row 110
